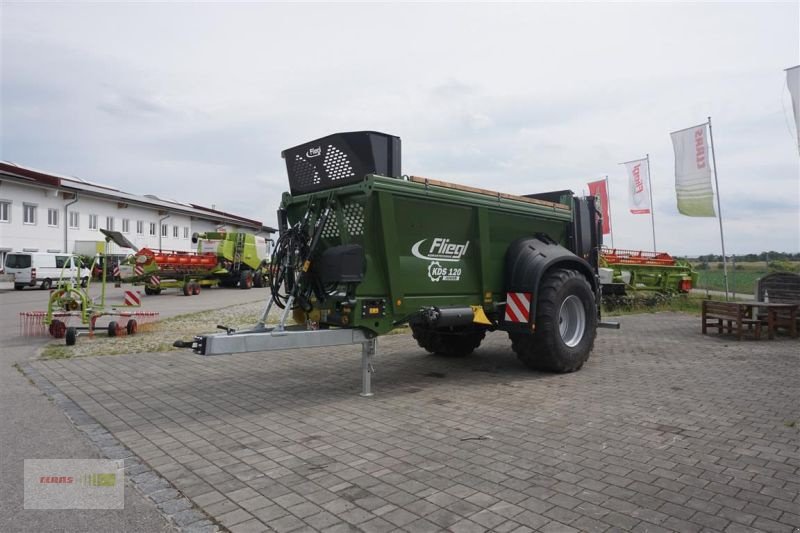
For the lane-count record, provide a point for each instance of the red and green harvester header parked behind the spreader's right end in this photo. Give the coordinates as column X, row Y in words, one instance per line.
column 623, row 271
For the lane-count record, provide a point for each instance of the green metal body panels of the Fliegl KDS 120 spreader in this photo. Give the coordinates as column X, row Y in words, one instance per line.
column 425, row 245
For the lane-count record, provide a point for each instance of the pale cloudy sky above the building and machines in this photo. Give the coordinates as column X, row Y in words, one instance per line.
column 195, row 101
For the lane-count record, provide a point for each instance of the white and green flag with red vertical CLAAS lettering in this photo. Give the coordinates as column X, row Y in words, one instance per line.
column 693, row 172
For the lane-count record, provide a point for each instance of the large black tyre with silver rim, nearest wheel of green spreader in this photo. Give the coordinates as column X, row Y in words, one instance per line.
column 566, row 325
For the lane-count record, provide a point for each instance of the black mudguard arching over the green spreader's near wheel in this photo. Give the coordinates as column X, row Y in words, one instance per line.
column 528, row 258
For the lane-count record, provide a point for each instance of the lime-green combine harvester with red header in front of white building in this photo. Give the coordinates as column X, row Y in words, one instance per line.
column 238, row 259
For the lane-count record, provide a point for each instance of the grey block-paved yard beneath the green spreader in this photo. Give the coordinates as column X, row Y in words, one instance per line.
column 663, row 429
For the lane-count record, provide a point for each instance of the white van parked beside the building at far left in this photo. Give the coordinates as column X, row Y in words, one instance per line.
column 44, row 269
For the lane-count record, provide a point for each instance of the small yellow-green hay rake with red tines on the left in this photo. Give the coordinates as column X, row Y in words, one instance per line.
column 71, row 311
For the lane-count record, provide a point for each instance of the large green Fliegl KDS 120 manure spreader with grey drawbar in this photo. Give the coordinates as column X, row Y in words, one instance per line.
column 364, row 249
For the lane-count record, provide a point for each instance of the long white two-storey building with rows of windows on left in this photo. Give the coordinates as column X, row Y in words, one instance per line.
column 43, row 212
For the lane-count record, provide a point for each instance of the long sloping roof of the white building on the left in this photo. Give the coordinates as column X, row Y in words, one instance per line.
column 79, row 185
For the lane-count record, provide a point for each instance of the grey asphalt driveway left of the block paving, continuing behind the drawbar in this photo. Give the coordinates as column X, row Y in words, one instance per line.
column 31, row 427
